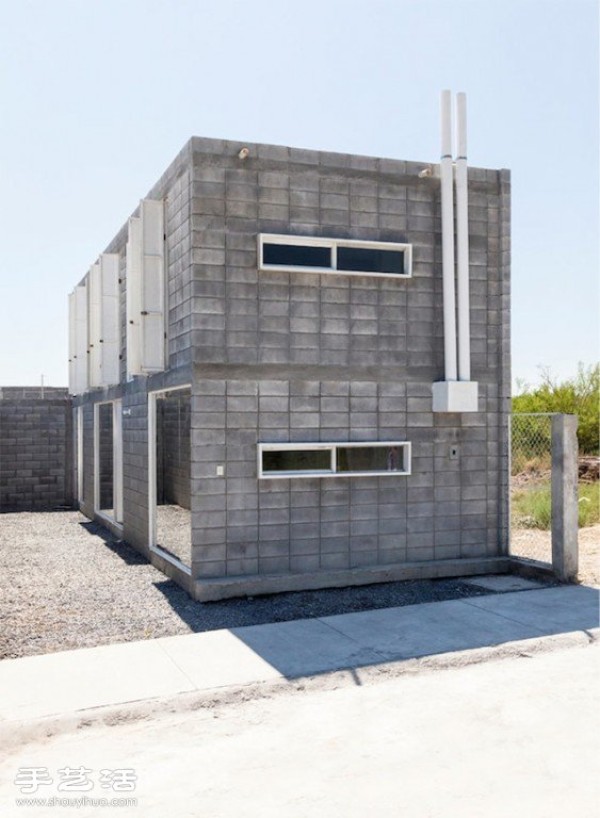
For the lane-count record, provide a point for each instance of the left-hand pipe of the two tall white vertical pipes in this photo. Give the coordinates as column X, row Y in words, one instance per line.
column 447, row 195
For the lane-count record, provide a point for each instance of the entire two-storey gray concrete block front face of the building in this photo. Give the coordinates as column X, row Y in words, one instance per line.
column 343, row 342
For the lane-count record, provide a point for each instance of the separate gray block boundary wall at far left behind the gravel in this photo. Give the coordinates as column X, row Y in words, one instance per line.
column 35, row 447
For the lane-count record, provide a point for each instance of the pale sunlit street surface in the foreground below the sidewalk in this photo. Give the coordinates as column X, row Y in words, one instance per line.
column 519, row 737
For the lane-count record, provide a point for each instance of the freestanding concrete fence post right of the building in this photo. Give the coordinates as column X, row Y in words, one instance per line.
column 564, row 496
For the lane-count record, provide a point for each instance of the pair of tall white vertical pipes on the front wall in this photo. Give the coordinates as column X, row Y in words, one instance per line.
column 461, row 369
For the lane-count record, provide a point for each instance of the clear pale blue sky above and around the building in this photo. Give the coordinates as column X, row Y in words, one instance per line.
column 97, row 97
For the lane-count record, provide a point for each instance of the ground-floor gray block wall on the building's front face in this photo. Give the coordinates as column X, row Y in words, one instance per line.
column 445, row 509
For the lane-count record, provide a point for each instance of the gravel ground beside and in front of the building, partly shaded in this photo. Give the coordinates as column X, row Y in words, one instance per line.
column 66, row 583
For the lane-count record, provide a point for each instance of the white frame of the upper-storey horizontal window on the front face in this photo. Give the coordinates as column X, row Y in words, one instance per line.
column 333, row 244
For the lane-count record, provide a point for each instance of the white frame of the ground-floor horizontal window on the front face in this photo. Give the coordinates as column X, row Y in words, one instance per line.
column 332, row 447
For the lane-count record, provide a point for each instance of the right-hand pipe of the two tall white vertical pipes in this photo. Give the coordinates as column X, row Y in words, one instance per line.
column 462, row 242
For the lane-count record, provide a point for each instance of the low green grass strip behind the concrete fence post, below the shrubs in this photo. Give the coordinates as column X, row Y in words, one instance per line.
column 531, row 506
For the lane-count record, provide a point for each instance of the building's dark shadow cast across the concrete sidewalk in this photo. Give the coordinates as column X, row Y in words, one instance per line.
column 310, row 647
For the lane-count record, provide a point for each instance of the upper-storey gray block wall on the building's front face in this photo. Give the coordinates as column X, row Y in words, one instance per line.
column 242, row 317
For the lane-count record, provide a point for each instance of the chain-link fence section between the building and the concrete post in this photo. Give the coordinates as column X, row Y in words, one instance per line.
column 530, row 480
